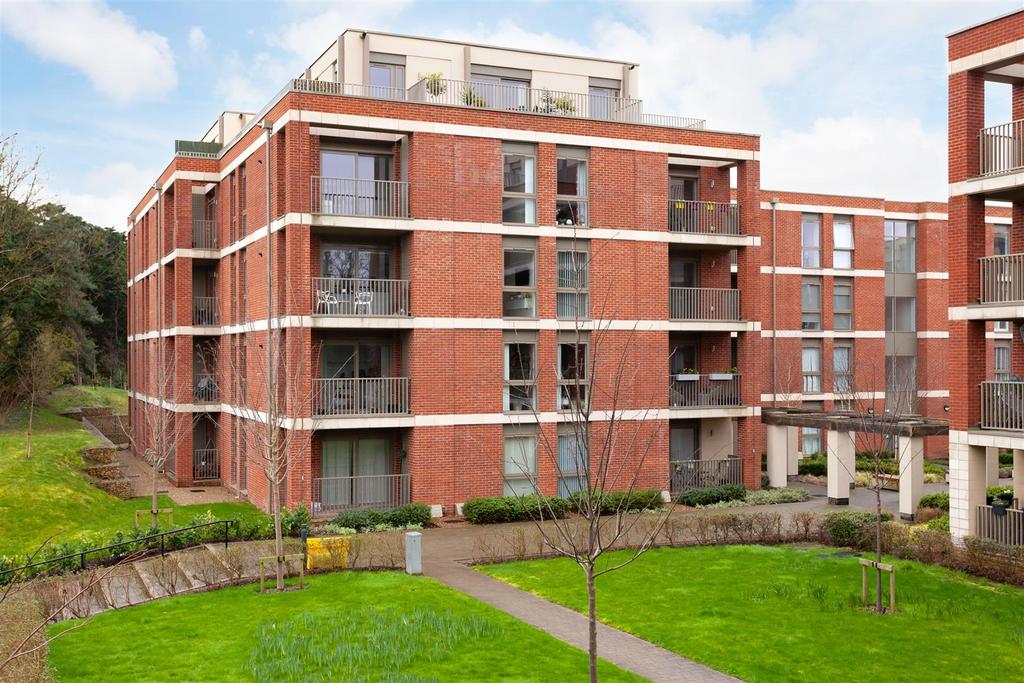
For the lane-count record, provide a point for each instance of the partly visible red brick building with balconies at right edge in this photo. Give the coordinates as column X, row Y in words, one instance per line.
column 987, row 273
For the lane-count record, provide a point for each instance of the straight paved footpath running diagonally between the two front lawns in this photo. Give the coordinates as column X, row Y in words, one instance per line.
column 622, row 650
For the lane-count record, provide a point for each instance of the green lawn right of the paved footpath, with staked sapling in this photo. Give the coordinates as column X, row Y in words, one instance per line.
column 785, row 614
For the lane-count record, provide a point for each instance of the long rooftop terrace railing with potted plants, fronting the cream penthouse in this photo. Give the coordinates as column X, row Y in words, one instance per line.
column 506, row 98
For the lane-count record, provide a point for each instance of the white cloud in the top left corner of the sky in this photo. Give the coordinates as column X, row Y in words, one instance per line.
column 119, row 59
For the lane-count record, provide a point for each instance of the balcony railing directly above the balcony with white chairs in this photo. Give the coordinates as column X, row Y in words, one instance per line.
column 351, row 197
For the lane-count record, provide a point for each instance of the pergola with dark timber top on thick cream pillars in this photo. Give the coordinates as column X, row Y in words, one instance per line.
column 912, row 431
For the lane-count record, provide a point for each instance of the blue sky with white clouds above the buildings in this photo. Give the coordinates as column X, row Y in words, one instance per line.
column 848, row 98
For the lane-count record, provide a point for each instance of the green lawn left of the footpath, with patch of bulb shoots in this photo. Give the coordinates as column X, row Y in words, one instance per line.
column 347, row 626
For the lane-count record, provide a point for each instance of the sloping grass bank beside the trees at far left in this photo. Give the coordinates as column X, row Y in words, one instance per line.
column 49, row 496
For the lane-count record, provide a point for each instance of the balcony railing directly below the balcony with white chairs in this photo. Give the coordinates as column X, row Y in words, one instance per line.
column 361, row 397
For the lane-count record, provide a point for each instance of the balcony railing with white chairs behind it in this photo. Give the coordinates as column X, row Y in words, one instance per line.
column 351, row 297
